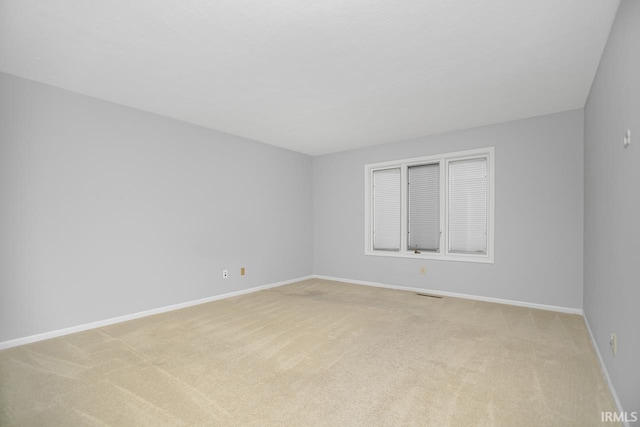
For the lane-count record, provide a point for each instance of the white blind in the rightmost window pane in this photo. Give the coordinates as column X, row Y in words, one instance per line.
column 468, row 206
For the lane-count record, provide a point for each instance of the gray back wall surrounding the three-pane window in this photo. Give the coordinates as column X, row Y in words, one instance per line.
column 538, row 216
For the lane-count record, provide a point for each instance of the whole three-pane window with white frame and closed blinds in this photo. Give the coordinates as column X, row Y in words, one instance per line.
column 436, row 207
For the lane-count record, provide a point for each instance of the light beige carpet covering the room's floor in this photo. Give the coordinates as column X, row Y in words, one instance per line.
column 314, row 353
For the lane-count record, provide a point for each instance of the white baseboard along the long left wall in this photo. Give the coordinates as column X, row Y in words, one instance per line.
column 111, row 321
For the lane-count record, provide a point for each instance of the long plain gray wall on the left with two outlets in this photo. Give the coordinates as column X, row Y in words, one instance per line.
column 106, row 210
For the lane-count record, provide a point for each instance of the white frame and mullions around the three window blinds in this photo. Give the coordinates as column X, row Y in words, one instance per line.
column 443, row 160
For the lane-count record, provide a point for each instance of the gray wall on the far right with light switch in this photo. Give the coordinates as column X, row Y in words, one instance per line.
column 612, row 205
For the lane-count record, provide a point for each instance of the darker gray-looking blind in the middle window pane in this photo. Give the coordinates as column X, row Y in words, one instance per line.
column 423, row 226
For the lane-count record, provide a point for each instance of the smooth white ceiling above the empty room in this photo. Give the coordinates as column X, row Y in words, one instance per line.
column 315, row 76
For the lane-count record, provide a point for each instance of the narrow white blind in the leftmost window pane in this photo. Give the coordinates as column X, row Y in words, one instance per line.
column 386, row 209
